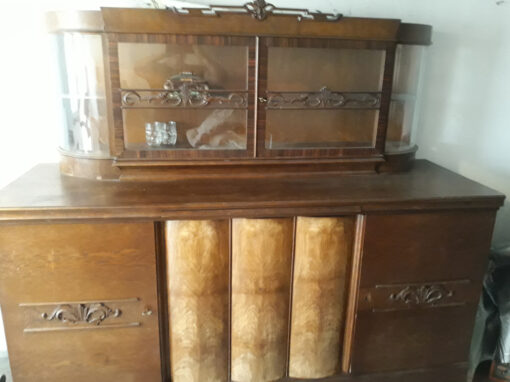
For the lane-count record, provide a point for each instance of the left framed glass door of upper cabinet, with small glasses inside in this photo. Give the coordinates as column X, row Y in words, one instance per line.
column 183, row 96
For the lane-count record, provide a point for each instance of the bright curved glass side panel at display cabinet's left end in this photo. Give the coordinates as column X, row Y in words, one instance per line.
column 82, row 87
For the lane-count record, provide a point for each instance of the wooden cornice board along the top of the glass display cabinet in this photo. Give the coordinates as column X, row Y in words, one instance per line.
column 147, row 20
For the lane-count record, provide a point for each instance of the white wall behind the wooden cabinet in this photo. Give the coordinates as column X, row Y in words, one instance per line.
column 465, row 105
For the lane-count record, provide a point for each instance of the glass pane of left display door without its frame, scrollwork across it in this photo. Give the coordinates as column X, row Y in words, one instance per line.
column 200, row 87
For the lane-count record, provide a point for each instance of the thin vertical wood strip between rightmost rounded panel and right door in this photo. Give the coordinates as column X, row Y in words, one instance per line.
column 352, row 305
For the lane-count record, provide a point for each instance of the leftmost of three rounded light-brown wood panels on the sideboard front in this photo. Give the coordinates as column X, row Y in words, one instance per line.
column 198, row 277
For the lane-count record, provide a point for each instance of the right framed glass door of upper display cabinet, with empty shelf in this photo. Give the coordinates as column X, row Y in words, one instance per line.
column 320, row 97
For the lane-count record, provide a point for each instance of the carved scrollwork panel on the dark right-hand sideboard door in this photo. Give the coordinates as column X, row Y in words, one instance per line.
column 418, row 296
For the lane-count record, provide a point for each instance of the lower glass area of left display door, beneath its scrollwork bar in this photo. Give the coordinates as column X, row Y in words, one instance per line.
column 202, row 129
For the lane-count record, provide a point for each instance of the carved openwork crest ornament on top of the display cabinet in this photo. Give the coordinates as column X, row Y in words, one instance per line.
column 259, row 10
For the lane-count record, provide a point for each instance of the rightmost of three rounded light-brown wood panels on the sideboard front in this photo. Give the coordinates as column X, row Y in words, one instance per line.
column 323, row 251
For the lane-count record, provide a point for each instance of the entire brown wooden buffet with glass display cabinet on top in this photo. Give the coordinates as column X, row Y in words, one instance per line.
column 270, row 225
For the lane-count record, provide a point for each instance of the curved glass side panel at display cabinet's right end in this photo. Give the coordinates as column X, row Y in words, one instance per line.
column 406, row 84
